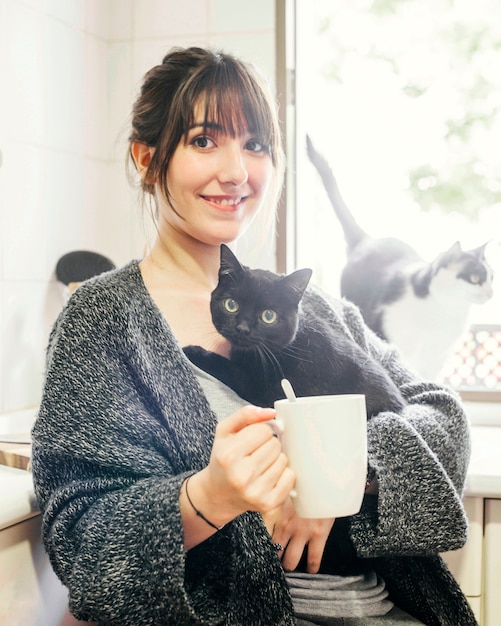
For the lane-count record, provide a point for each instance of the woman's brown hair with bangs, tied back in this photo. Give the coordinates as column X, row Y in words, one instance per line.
column 231, row 91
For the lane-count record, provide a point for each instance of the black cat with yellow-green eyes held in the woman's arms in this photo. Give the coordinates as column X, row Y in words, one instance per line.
column 258, row 312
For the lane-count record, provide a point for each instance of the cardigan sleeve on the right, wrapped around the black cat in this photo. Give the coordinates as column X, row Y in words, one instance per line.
column 420, row 458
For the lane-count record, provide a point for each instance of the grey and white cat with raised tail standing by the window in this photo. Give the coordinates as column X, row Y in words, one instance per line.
column 420, row 307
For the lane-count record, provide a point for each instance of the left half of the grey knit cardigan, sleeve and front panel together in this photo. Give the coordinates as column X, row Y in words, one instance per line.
column 121, row 423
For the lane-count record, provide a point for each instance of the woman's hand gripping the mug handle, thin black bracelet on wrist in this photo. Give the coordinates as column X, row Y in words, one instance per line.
column 247, row 471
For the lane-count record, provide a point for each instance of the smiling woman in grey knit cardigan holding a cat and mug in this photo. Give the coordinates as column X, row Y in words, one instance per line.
column 158, row 486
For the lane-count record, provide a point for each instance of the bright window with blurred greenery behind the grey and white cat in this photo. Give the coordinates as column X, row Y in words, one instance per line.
column 404, row 99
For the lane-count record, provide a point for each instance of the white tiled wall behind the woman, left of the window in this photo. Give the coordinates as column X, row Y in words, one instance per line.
column 69, row 70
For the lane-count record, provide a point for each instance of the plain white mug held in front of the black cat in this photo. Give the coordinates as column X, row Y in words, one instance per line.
column 325, row 440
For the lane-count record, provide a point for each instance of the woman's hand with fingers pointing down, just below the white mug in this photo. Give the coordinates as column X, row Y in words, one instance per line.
column 294, row 533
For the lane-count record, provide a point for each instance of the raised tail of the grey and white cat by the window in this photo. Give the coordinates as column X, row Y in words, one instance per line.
column 353, row 234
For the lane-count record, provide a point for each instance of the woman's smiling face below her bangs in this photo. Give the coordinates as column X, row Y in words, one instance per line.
column 217, row 183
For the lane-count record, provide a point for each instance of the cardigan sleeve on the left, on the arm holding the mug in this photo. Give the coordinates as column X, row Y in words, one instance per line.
column 105, row 480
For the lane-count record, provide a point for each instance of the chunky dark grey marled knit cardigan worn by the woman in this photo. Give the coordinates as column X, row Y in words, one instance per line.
column 123, row 421
